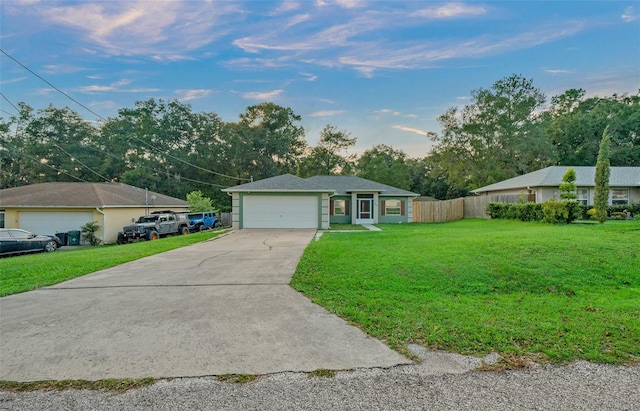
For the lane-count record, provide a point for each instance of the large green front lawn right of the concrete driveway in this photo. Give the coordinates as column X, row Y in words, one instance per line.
column 561, row 292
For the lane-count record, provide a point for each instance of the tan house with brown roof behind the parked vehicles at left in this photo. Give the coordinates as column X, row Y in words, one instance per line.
column 50, row 208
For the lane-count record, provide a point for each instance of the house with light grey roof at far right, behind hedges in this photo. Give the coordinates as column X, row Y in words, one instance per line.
column 624, row 184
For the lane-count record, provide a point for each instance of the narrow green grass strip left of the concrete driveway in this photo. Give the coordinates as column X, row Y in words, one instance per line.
column 29, row 272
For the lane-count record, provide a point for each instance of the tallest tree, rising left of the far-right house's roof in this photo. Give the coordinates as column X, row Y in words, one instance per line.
column 498, row 136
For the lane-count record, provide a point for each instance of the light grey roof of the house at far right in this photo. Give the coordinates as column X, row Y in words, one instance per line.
column 552, row 177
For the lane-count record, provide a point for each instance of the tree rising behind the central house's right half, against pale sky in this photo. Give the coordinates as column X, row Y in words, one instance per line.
column 330, row 156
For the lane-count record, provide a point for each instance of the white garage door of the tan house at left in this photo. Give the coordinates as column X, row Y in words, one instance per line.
column 51, row 222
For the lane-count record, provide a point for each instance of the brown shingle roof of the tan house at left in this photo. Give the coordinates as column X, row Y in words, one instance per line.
column 83, row 195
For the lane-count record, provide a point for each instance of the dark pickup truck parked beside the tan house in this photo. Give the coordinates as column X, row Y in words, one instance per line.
column 154, row 226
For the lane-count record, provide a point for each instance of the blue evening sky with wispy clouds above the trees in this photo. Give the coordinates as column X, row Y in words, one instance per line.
column 382, row 71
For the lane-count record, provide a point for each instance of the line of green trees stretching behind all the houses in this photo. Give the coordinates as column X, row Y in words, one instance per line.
column 505, row 131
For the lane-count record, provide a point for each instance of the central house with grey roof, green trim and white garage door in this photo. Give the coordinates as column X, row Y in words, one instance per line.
column 287, row 201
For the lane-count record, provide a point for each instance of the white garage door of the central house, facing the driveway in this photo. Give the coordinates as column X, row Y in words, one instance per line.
column 279, row 212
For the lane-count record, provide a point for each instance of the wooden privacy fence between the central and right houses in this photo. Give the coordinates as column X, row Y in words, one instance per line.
column 467, row 207
